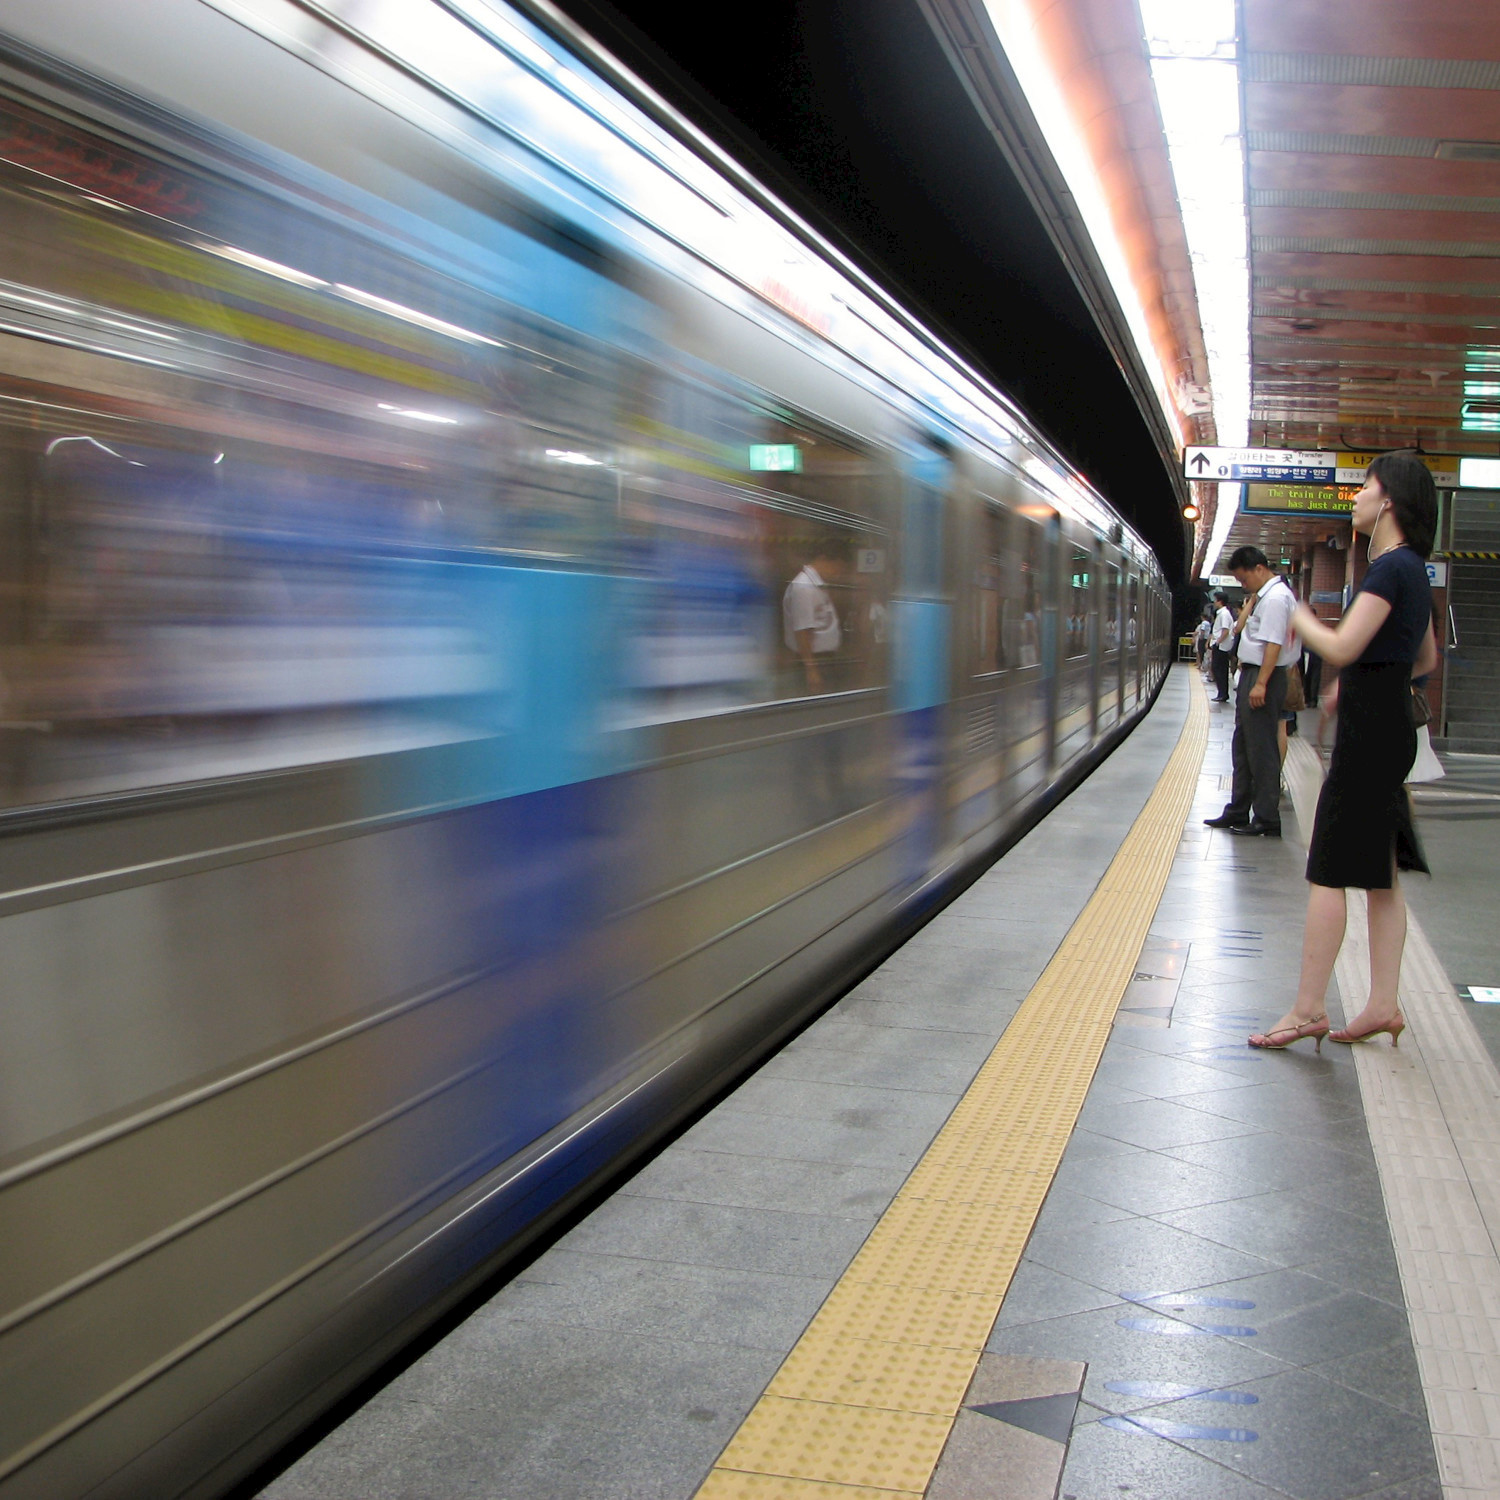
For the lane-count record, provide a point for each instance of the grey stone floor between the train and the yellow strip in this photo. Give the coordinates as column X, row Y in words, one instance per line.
column 622, row 1361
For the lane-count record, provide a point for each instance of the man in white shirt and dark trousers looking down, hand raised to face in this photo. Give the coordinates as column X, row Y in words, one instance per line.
column 1255, row 806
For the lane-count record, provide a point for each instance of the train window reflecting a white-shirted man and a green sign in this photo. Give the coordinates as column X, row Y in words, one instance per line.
column 763, row 562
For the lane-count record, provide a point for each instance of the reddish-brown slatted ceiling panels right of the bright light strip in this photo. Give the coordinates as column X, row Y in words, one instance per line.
column 1373, row 137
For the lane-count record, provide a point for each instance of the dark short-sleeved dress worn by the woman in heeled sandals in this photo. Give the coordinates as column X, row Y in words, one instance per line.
column 1364, row 829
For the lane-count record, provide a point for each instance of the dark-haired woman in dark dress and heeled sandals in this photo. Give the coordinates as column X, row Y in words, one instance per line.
column 1363, row 833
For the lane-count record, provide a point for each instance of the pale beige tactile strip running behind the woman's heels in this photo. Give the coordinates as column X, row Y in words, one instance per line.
column 1433, row 1109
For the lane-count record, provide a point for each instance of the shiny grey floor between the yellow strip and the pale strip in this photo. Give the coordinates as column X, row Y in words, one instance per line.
column 1216, row 1244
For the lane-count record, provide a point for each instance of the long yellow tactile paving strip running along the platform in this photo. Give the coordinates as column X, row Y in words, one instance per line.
column 865, row 1403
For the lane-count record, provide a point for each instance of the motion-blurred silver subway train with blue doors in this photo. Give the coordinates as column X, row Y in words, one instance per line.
column 497, row 625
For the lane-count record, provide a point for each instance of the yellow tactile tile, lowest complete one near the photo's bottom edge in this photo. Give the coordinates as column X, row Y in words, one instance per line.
column 838, row 1445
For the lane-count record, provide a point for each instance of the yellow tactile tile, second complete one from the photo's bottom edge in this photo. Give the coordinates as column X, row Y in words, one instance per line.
column 874, row 1373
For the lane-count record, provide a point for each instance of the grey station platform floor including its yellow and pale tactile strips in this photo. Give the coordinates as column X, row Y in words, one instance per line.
column 1022, row 1216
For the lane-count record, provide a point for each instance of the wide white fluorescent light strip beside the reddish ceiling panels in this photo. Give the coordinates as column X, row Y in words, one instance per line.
column 1193, row 65
